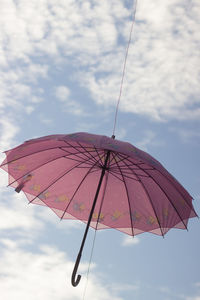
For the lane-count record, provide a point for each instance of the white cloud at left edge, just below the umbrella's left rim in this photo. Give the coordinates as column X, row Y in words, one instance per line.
column 29, row 221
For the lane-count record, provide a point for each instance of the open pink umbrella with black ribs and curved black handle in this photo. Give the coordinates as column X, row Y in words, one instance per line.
column 101, row 181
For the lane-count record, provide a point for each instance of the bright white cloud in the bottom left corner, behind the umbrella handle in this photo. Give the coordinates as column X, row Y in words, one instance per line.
column 44, row 275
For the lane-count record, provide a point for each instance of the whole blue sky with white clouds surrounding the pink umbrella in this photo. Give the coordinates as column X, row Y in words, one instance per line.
column 61, row 64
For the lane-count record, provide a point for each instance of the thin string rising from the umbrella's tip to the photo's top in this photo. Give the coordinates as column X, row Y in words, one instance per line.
column 124, row 67
